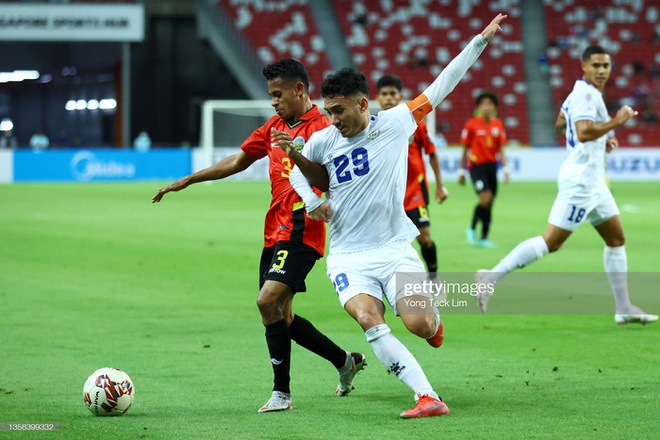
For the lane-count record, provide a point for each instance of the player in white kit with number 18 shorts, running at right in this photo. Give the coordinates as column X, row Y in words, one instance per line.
column 583, row 194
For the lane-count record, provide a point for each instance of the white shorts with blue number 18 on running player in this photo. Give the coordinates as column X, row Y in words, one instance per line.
column 576, row 204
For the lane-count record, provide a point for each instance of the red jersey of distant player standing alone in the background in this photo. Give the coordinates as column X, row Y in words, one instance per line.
column 484, row 140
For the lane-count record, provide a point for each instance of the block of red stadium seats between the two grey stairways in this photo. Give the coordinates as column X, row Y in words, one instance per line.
column 415, row 40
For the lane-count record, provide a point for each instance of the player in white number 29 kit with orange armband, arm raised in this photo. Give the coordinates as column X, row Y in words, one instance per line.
column 365, row 160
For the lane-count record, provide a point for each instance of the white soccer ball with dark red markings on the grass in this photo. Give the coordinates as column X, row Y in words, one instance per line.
column 108, row 392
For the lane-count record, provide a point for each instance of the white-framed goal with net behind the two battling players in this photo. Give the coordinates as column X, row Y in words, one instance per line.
column 227, row 123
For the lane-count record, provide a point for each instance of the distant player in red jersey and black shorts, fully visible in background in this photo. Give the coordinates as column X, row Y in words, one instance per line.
column 484, row 137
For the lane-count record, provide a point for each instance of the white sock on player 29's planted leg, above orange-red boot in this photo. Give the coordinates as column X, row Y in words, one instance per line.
column 398, row 360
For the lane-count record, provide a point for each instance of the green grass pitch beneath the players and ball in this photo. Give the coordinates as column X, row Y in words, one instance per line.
column 94, row 275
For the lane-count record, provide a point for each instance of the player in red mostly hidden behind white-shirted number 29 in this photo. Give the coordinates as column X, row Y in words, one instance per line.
column 416, row 200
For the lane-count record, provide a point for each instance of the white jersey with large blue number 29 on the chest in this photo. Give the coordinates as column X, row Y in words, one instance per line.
column 367, row 180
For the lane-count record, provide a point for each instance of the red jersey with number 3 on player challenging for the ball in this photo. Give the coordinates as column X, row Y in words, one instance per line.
column 286, row 219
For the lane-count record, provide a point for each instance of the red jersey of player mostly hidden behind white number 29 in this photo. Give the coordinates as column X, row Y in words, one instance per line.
column 420, row 144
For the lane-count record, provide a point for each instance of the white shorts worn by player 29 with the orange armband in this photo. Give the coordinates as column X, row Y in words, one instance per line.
column 372, row 271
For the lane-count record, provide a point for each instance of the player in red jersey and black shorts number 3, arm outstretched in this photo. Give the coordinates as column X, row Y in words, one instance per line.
column 293, row 242
